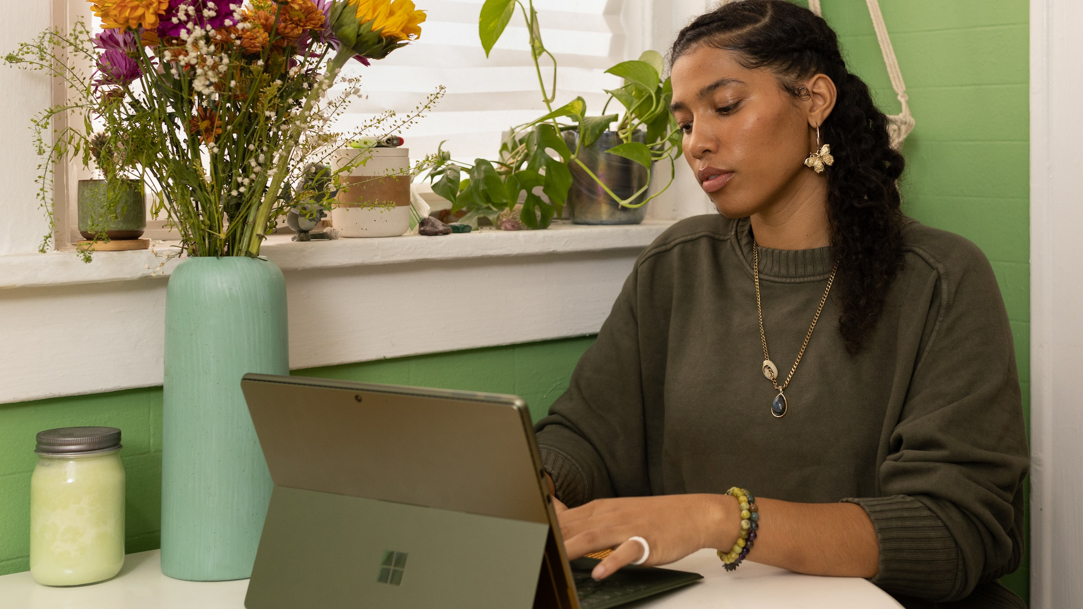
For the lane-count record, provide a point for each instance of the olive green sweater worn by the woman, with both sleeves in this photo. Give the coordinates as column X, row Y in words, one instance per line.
column 923, row 429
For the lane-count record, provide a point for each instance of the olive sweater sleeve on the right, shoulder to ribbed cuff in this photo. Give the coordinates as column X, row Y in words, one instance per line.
column 950, row 513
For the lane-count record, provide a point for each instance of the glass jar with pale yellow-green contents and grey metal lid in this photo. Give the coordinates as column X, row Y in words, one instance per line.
column 77, row 507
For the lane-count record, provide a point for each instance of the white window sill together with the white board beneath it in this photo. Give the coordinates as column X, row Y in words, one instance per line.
column 349, row 301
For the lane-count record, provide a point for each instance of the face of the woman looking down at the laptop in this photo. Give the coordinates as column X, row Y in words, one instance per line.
column 746, row 137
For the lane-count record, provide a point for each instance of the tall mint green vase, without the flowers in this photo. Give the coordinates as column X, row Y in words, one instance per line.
column 225, row 318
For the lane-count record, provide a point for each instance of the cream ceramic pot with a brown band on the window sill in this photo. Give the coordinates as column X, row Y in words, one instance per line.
column 374, row 201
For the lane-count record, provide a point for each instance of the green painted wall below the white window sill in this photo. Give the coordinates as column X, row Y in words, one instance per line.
column 539, row 372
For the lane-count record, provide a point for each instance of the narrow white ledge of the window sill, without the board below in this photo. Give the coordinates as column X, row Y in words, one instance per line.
column 66, row 268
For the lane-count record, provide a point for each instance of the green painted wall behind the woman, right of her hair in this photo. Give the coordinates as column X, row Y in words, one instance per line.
column 967, row 64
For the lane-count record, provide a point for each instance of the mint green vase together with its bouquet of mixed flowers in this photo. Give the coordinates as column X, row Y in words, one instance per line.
column 221, row 106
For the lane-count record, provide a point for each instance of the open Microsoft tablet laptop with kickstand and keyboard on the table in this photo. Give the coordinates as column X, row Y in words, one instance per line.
column 402, row 498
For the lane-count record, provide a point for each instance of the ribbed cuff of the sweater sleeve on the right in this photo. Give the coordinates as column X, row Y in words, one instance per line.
column 918, row 555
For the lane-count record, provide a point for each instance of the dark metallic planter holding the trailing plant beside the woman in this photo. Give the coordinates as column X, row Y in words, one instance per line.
column 588, row 202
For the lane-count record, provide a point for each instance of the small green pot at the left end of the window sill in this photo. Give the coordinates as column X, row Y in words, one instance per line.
column 112, row 206
